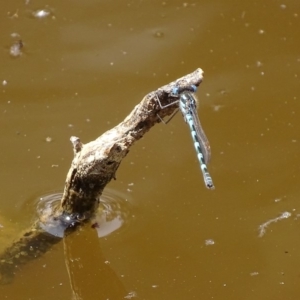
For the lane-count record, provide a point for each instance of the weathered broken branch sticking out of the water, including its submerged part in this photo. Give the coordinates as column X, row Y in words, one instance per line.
column 93, row 167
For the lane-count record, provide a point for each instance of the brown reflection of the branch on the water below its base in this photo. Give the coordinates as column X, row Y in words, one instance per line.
column 89, row 270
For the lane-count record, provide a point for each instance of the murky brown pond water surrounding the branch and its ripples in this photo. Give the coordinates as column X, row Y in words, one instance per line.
column 82, row 69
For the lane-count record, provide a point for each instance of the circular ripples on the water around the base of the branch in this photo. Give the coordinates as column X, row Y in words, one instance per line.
column 113, row 213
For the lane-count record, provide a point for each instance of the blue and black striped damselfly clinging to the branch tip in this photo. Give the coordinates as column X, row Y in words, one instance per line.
column 188, row 108
